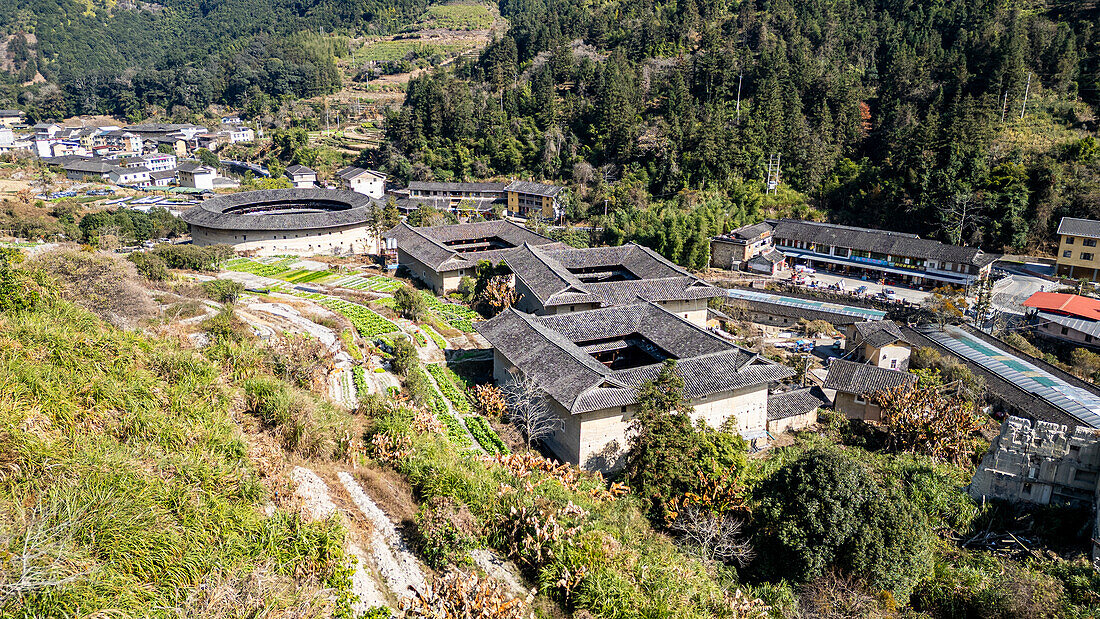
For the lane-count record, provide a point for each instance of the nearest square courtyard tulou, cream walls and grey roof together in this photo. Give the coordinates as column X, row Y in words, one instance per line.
column 591, row 363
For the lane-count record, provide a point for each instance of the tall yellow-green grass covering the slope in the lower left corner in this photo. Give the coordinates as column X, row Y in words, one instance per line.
column 126, row 485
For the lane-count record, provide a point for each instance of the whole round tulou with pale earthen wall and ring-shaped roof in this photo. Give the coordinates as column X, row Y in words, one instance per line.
column 287, row 222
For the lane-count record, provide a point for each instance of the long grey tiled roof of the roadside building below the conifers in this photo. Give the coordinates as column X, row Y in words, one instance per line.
column 881, row 241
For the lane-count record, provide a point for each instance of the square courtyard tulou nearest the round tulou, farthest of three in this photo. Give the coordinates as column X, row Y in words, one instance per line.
column 442, row 256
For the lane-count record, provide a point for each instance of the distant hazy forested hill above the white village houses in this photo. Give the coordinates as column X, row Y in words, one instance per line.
column 122, row 58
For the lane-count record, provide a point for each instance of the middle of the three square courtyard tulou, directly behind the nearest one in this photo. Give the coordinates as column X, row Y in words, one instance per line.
column 552, row 281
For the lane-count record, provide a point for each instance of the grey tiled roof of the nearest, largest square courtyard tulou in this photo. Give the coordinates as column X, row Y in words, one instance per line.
column 546, row 349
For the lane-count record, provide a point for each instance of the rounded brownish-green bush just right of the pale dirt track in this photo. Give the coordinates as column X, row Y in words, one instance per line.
column 446, row 534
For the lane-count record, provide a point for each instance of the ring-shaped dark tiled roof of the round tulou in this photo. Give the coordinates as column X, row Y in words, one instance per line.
column 282, row 209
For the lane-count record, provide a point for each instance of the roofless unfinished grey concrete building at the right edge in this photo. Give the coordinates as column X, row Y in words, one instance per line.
column 1043, row 463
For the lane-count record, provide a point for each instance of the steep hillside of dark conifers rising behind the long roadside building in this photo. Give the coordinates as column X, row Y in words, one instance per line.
column 886, row 113
